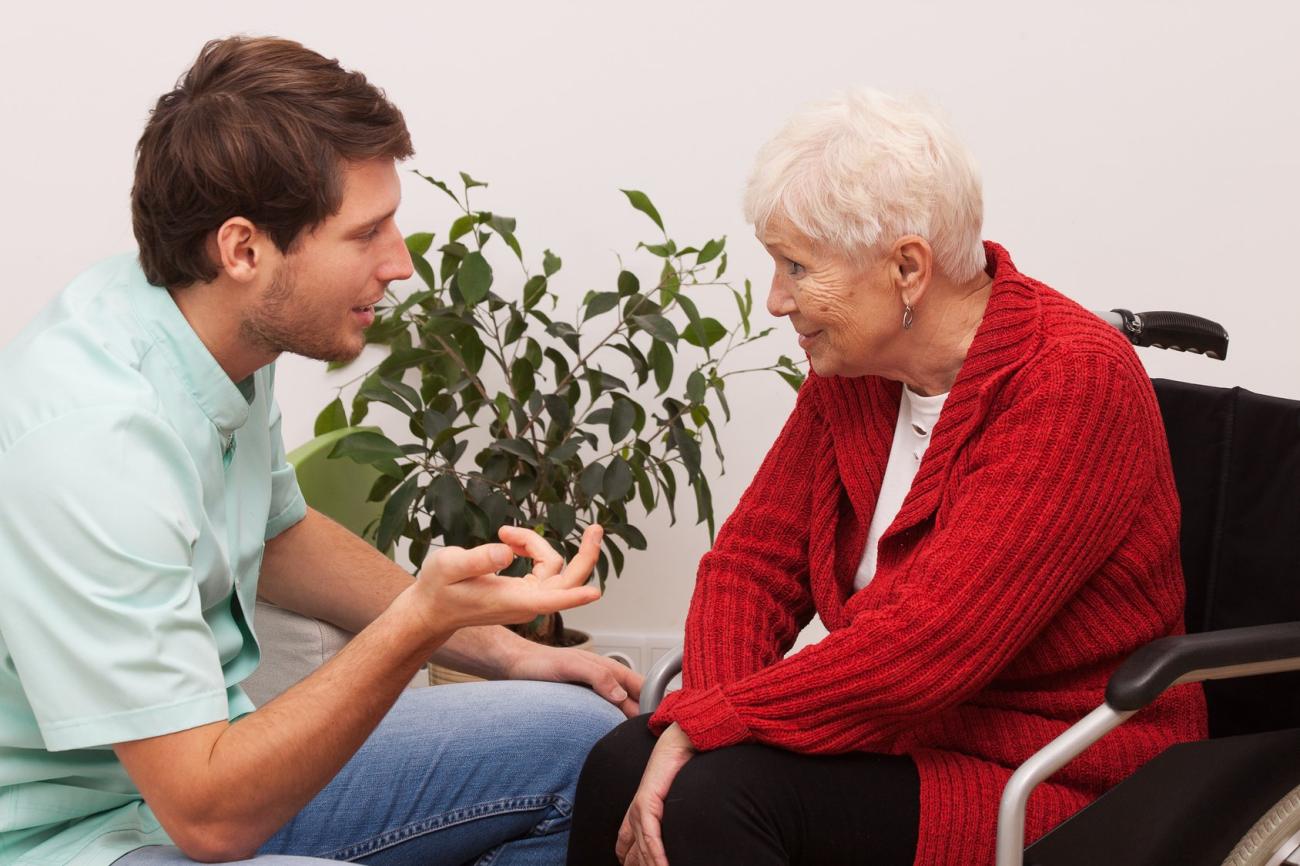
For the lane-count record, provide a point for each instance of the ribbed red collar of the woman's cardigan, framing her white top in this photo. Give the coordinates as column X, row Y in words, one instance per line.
column 863, row 412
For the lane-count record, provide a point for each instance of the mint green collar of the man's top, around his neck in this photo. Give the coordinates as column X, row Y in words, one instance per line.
column 222, row 400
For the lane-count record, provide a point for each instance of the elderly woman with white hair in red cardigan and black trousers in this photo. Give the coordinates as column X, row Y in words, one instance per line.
column 974, row 493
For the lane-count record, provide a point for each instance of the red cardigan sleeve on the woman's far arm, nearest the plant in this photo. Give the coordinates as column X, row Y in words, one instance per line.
column 752, row 591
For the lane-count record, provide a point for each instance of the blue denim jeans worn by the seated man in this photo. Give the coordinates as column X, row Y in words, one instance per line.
column 480, row 773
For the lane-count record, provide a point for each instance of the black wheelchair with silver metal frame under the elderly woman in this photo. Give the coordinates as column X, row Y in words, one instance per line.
column 1233, row 799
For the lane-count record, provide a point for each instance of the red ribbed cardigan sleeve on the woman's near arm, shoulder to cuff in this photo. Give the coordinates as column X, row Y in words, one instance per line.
column 1048, row 491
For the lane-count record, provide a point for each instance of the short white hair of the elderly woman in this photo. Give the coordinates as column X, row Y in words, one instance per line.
column 863, row 170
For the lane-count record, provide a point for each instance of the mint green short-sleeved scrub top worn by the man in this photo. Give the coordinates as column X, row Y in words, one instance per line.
column 138, row 488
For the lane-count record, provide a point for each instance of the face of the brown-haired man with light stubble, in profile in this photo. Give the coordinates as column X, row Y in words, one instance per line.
column 322, row 298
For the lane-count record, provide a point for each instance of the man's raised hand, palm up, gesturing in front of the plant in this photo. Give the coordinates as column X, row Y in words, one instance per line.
column 458, row 588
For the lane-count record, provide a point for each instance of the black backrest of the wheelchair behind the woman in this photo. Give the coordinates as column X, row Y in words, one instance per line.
column 1237, row 464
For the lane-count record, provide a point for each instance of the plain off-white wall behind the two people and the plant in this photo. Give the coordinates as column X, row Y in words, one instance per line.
column 1134, row 154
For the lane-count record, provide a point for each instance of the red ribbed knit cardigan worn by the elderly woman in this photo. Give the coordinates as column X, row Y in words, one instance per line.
column 1037, row 549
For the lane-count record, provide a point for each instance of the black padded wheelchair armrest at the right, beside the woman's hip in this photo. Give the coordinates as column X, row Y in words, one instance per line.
column 1211, row 656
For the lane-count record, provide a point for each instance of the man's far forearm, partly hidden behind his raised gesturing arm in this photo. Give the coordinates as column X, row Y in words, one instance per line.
column 322, row 570
